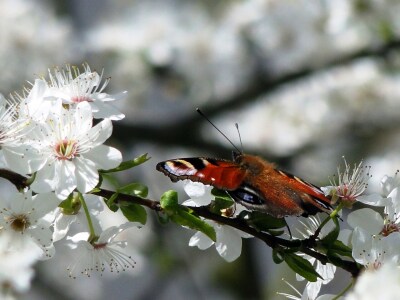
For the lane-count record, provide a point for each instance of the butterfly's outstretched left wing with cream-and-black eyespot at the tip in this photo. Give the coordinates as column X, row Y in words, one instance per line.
column 222, row 174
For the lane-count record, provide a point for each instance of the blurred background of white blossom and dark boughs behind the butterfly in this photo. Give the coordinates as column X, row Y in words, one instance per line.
column 308, row 81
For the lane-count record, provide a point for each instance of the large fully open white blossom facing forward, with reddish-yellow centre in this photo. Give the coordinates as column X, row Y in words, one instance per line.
column 71, row 151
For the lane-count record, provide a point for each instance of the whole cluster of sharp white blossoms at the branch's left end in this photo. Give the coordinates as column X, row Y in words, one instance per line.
column 52, row 138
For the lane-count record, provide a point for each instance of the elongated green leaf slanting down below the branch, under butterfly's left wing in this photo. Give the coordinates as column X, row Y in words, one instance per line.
column 183, row 217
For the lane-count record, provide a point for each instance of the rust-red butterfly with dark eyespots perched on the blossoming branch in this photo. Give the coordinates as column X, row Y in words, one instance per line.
column 253, row 182
